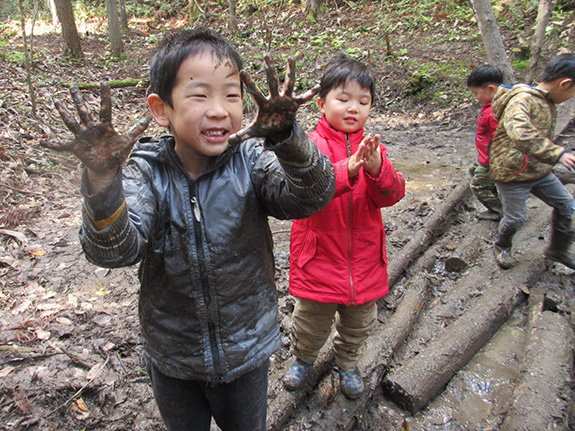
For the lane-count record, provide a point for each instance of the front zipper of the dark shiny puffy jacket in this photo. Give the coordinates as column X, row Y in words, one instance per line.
column 204, row 279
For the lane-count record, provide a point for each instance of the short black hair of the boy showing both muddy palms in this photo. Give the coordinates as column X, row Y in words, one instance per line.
column 176, row 47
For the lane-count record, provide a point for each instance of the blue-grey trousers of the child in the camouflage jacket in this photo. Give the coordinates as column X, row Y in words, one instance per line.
column 549, row 189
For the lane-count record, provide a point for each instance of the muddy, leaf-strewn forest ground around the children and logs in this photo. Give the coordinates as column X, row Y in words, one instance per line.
column 70, row 350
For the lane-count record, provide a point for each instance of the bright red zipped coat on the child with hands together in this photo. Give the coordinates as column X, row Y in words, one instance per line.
column 338, row 254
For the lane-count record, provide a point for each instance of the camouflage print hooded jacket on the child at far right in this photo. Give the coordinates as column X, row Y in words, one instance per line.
column 522, row 148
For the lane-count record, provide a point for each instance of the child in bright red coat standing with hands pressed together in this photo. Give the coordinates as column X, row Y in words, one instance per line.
column 338, row 262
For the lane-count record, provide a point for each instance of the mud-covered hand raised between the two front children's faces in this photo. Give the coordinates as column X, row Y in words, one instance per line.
column 277, row 112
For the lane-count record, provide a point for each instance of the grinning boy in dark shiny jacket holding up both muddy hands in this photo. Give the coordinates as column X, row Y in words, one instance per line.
column 193, row 209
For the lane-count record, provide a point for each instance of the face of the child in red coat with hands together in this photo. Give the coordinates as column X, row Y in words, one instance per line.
column 346, row 107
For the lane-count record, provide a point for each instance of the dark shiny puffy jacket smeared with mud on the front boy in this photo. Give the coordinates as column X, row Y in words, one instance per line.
column 208, row 304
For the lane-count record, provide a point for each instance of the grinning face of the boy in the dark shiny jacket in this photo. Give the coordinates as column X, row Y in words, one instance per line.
column 206, row 109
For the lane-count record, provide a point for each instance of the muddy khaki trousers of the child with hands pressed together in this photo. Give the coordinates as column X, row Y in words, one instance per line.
column 312, row 325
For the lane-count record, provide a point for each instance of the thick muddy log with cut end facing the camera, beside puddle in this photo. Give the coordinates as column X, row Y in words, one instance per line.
column 424, row 376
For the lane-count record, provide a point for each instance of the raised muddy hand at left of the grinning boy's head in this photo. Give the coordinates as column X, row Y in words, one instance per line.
column 96, row 143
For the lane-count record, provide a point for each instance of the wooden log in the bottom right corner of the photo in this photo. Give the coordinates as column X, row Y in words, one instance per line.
column 541, row 399
